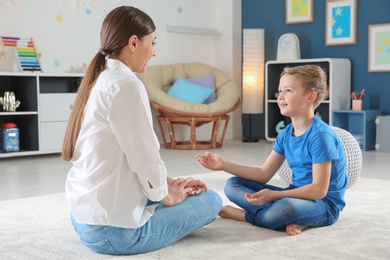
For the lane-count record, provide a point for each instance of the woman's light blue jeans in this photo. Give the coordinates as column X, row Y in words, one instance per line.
column 166, row 226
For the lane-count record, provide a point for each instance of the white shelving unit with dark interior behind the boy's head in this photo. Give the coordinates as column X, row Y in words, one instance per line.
column 339, row 83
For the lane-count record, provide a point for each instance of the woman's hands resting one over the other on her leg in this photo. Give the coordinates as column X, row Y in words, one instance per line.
column 180, row 189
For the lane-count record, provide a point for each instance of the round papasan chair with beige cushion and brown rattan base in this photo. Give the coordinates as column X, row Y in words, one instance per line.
column 158, row 80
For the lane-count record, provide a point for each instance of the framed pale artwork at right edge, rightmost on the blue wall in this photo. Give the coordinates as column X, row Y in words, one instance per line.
column 379, row 47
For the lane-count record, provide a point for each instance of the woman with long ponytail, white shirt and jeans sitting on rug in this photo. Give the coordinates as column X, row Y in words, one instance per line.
column 120, row 197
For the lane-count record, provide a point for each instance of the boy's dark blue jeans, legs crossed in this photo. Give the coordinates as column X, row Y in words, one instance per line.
column 276, row 215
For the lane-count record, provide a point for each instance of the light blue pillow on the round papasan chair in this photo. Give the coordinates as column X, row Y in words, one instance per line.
column 189, row 92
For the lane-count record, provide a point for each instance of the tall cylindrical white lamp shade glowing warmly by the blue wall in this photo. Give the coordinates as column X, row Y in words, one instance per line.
column 253, row 71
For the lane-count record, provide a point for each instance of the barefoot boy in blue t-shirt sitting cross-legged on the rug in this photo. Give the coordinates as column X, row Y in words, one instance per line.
column 313, row 151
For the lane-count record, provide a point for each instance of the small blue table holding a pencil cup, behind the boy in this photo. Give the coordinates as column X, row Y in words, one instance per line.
column 361, row 124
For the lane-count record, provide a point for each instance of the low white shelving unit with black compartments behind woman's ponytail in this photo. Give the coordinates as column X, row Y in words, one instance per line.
column 46, row 102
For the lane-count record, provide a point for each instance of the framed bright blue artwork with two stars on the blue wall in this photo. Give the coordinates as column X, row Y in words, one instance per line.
column 340, row 22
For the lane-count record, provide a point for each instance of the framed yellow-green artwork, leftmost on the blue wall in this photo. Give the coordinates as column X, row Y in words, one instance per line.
column 299, row 11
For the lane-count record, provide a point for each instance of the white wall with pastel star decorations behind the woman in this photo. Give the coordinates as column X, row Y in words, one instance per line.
column 67, row 44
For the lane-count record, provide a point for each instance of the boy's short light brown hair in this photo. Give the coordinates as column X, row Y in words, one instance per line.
column 313, row 78
